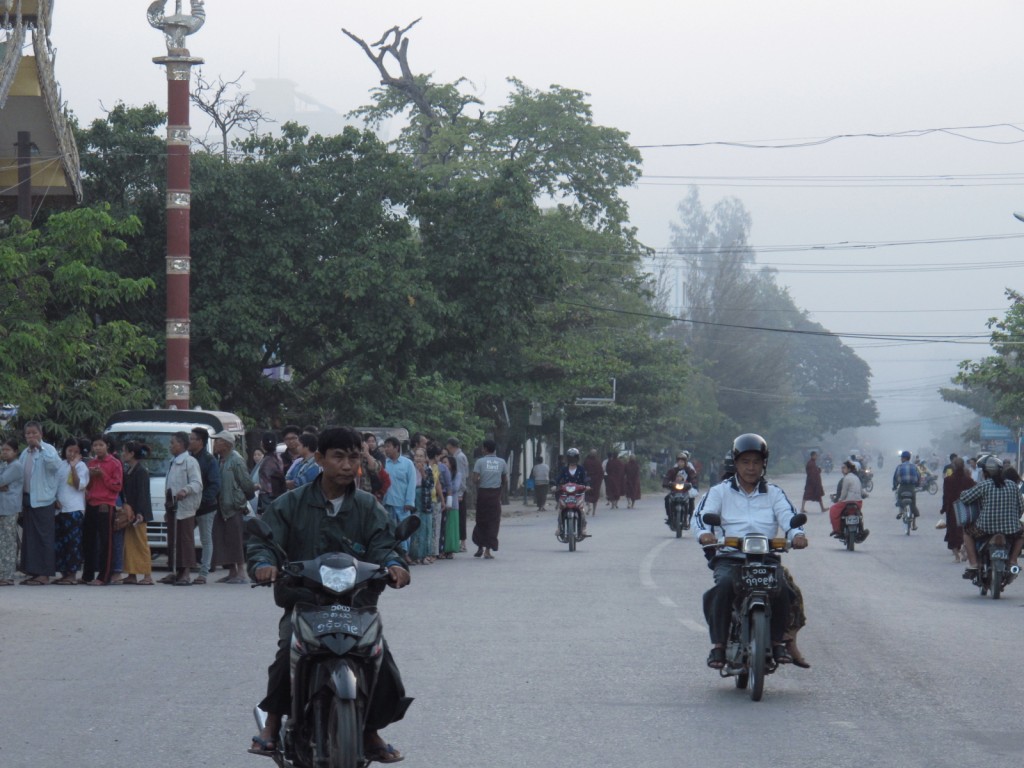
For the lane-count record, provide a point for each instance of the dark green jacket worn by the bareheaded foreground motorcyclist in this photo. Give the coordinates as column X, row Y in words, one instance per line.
column 301, row 524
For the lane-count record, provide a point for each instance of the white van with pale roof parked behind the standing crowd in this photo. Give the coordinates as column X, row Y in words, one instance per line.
column 155, row 428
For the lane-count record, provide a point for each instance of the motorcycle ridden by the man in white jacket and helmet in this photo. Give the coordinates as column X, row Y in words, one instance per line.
column 748, row 655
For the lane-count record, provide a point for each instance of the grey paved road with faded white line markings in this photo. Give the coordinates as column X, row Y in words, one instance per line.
column 542, row 658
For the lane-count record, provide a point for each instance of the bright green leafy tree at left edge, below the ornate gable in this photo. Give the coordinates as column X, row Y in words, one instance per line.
column 63, row 360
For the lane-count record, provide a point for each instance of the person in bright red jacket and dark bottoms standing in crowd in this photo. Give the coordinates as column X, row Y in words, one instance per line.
column 106, row 483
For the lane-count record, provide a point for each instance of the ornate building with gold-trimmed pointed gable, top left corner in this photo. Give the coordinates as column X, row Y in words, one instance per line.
column 39, row 161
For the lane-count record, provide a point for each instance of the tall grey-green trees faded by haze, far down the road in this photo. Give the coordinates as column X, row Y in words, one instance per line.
column 774, row 370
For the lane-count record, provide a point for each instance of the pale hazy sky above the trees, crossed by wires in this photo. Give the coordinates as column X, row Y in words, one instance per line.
column 697, row 72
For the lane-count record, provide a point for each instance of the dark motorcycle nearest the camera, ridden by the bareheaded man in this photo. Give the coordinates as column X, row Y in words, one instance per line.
column 336, row 657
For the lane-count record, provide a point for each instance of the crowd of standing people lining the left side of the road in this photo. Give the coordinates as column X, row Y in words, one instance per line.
column 77, row 515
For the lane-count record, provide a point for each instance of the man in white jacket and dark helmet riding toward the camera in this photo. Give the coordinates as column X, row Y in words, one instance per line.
column 748, row 504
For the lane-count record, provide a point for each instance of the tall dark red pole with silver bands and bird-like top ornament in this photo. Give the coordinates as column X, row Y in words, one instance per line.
column 179, row 62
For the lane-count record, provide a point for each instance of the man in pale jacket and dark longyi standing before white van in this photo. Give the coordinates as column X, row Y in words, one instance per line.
column 185, row 492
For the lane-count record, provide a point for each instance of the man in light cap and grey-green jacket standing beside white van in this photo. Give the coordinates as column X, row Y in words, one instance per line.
column 236, row 490
